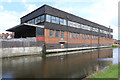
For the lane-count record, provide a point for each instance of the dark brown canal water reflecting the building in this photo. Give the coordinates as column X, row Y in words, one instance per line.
column 77, row 65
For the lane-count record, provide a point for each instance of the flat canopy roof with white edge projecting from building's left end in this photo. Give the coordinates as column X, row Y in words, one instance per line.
column 23, row 26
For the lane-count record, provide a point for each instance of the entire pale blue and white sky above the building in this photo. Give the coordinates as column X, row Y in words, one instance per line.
column 104, row 12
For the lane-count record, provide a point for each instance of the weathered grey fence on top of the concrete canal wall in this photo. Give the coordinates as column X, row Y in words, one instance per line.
column 22, row 42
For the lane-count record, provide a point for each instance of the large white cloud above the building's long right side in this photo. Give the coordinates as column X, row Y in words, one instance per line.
column 104, row 12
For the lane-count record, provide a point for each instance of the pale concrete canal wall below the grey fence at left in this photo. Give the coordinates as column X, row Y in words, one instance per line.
column 19, row 51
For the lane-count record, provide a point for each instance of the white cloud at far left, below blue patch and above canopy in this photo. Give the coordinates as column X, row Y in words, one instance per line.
column 8, row 20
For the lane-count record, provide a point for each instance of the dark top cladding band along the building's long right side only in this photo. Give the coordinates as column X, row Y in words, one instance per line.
column 56, row 12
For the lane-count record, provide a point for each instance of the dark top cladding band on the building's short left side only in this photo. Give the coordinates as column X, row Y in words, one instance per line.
column 33, row 14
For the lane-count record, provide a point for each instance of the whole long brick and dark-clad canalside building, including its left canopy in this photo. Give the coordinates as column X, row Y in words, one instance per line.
column 59, row 29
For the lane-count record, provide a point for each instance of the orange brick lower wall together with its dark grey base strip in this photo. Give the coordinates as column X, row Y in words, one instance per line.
column 53, row 42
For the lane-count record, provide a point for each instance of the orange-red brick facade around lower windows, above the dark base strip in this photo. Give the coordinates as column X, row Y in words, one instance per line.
column 67, row 38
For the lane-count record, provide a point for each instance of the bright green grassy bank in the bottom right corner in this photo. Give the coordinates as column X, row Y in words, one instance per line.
column 110, row 72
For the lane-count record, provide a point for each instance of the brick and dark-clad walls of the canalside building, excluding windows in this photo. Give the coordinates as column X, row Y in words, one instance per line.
column 53, row 42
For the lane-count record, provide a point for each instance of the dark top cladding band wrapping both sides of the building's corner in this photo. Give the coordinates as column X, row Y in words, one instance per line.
column 45, row 9
